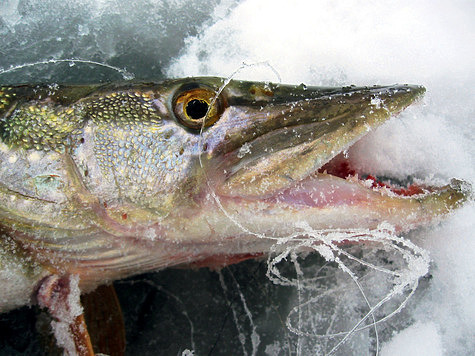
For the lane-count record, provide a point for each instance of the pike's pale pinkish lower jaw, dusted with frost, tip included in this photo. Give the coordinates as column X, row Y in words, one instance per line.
column 325, row 201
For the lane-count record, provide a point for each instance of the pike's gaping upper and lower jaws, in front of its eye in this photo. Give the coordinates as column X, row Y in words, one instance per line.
column 294, row 166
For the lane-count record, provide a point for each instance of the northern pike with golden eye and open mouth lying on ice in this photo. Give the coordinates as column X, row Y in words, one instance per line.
column 112, row 180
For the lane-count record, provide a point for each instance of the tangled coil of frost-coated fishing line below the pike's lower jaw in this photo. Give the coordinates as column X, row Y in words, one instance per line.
column 417, row 265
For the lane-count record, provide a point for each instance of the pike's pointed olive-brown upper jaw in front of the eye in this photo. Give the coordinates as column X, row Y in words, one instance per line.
column 257, row 150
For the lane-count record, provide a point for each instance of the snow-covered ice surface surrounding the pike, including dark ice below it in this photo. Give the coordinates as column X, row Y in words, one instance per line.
column 318, row 43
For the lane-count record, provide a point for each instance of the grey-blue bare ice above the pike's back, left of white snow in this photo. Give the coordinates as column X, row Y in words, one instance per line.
column 141, row 35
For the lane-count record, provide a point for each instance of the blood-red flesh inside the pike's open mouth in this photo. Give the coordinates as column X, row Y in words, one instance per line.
column 341, row 167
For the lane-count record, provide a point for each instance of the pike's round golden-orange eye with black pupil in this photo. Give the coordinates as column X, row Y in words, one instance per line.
column 196, row 107
